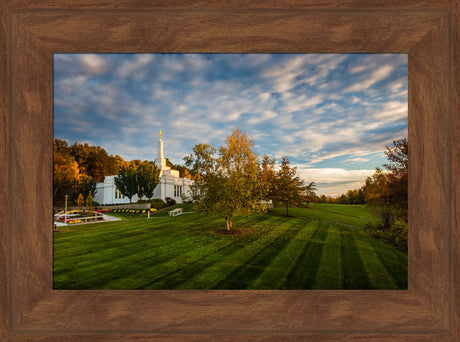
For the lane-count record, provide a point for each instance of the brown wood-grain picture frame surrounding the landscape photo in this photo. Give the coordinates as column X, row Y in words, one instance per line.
column 30, row 310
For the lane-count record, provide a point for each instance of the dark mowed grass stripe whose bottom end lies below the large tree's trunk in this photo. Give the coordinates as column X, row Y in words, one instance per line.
column 244, row 275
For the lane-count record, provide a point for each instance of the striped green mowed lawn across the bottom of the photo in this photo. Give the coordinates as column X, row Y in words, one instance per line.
column 323, row 247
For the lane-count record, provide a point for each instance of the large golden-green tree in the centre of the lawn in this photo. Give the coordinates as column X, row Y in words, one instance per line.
column 228, row 184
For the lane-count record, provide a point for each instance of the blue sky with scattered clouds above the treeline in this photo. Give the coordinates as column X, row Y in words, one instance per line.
column 331, row 114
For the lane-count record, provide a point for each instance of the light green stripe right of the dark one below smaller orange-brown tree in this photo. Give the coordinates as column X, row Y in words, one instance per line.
column 329, row 275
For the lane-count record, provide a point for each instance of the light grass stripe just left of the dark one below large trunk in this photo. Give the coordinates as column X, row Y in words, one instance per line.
column 219, row 271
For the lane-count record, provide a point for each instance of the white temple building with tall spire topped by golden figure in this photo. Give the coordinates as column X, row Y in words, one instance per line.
column 170, row 184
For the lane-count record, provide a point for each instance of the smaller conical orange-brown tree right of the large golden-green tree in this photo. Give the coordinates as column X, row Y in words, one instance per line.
column 290, row 187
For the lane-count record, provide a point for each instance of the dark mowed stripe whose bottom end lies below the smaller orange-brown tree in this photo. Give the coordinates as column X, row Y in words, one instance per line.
column 303, row 274
